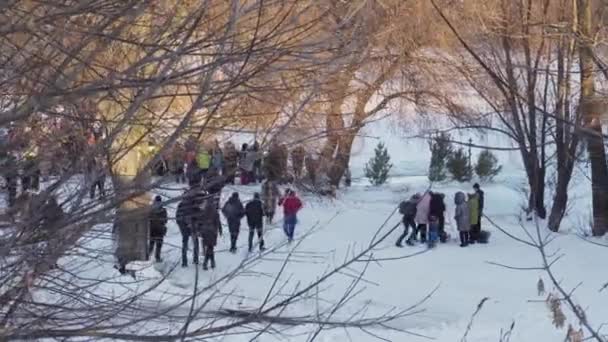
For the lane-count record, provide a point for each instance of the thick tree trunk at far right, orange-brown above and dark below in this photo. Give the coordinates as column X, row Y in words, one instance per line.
column 591, row 115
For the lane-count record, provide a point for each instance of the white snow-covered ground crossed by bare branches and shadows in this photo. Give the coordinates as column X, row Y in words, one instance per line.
column 444, row 284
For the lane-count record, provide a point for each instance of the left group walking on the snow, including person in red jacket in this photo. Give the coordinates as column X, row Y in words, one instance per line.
column 198, row 219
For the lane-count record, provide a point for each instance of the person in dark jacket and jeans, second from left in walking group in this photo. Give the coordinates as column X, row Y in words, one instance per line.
column 186, row 217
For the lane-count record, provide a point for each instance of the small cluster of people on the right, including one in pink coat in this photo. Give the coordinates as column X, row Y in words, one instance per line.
column 425, row 215
